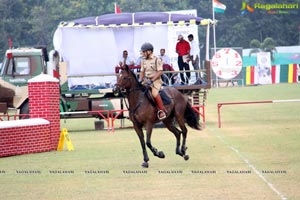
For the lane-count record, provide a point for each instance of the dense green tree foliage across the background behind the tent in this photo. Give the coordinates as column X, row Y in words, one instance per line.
column 33, row 22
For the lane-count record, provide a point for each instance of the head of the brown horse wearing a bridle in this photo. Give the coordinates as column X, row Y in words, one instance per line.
column 126, row 80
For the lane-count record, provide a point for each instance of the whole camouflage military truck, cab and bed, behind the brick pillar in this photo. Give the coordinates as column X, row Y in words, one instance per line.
column 21, row 64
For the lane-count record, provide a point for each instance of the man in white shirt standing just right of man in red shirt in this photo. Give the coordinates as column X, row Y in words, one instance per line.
column 194, row 56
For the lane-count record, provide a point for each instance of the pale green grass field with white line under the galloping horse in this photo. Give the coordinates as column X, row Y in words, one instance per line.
column 255, row 155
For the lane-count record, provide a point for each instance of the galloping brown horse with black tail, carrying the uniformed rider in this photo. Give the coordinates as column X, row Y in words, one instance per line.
column 143, row 113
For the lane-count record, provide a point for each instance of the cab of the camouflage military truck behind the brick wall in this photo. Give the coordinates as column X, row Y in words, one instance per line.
column 19, row 65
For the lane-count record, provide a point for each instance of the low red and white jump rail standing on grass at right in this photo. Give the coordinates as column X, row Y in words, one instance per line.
column 250, row 102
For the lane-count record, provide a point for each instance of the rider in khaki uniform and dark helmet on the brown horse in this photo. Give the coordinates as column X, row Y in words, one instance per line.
column 151, row 71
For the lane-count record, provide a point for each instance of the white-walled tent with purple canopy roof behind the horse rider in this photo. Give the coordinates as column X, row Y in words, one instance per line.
column 94, row 45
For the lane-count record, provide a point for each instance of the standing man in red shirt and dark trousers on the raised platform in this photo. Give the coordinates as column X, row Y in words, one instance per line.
column 183, row 50
